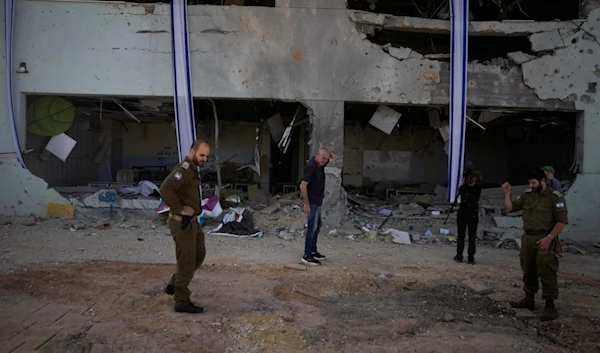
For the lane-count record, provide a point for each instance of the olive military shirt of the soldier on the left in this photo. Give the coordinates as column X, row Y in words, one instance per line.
column 181, row 188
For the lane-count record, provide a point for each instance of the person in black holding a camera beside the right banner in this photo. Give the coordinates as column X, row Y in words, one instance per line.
column 468, row 215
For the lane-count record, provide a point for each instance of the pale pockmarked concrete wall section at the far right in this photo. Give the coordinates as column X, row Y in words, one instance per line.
column 572, row 73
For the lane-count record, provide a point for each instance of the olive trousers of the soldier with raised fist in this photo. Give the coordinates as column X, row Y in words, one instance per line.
column 539, row 266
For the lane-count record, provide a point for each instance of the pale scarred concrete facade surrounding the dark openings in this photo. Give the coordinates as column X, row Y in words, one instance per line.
column 318, row 53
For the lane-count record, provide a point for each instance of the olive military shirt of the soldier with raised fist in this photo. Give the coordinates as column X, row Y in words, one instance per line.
column 541, row 211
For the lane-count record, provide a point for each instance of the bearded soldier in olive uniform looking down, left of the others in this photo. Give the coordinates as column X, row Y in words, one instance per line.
column 181, row 192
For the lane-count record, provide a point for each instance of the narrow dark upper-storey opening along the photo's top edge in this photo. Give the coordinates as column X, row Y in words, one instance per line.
column 480, row 10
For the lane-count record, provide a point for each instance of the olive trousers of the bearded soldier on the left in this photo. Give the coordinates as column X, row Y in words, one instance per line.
column 190, row 252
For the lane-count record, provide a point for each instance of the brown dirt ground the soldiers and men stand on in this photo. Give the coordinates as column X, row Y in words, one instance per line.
column 75, row 287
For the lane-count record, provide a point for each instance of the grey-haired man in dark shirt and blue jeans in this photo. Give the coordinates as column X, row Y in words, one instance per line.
column 312, row 188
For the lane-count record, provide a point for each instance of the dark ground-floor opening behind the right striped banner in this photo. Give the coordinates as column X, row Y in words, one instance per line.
column 413, row 153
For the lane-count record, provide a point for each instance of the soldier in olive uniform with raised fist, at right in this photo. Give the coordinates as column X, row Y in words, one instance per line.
column 544, row 217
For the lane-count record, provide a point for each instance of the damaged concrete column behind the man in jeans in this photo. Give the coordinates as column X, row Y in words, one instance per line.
column 327, row 119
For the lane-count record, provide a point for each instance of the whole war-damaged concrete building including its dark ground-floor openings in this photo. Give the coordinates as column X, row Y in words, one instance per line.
column 275, row 80
